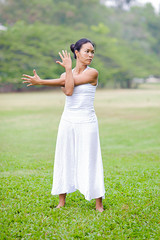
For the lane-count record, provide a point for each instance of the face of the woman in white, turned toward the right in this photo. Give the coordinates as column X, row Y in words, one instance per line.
column 86, row 53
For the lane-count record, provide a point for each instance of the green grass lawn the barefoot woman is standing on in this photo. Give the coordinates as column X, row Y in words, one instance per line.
column 129, row 132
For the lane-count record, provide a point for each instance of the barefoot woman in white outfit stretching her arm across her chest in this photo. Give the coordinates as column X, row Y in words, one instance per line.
column 78, row 162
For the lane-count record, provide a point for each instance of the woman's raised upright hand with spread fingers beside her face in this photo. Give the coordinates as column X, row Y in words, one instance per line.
column 66, row 60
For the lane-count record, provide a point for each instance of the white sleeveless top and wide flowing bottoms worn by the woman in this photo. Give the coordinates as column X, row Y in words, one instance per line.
column 78, row 162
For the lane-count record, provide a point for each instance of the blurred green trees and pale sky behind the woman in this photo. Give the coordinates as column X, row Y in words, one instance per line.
column 126, row 34
